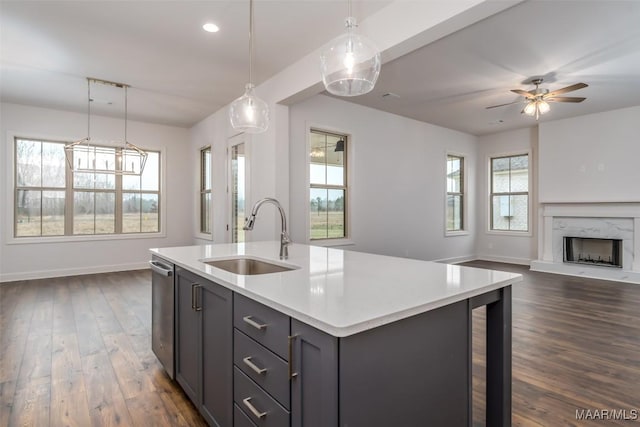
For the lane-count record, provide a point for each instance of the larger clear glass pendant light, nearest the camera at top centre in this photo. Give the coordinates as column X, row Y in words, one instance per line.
column 350, row 63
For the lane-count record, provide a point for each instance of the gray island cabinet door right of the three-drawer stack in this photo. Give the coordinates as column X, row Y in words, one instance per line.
column 314, row 387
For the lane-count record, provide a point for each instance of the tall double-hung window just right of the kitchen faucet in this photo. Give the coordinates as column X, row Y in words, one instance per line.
column 328, row 185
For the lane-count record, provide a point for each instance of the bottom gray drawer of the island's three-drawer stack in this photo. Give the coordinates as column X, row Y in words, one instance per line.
column 261, row 408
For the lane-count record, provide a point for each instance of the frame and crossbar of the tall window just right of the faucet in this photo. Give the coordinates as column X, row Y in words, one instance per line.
column 346, row 187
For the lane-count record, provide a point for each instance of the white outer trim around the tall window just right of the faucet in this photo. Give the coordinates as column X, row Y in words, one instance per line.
column 347, row 240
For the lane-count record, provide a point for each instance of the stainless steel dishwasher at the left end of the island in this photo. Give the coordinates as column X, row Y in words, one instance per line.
column 162, row 312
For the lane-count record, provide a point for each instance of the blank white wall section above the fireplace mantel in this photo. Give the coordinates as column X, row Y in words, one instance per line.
column 591, row 158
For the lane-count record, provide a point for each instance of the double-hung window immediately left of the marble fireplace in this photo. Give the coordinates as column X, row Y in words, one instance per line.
column 510, row 193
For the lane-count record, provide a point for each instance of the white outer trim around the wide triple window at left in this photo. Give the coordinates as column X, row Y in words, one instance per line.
column 10, row 239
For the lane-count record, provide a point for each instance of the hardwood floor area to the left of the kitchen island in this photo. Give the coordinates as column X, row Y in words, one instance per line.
column 76, row 351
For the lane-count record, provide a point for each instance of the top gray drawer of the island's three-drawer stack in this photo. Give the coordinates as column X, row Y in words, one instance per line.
column 265, row 325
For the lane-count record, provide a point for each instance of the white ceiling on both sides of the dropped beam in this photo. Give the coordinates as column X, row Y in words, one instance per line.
column 180, row 74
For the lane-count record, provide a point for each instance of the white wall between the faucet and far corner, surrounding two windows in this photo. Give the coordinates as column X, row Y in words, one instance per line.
column 397, row 187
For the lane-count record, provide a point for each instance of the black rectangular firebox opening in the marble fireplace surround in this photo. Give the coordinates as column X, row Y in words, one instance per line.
column 593, row 251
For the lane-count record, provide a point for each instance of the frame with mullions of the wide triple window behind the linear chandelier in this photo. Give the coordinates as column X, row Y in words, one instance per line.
column 12, row 188
